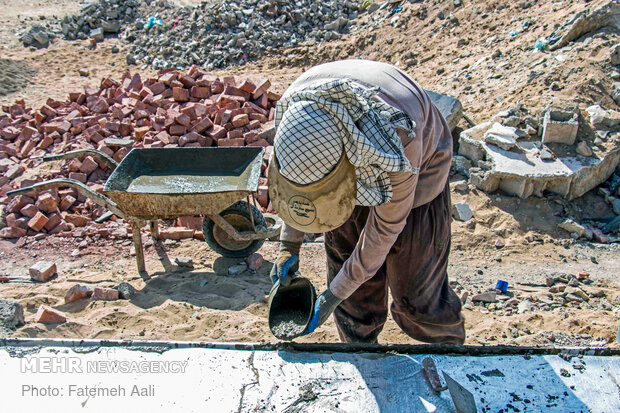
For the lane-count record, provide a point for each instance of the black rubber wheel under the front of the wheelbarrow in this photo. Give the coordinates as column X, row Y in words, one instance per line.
column 238, row 216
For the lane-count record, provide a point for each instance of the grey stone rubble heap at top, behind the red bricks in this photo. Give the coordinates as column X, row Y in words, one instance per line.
column 211, row 34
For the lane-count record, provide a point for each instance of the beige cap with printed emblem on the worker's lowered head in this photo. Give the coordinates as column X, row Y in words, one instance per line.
column 318, row 207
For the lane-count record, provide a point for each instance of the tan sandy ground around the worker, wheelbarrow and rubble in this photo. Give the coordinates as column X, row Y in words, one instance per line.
column 178, row 305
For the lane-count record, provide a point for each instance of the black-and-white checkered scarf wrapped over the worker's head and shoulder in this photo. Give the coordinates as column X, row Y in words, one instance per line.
column 315, row 124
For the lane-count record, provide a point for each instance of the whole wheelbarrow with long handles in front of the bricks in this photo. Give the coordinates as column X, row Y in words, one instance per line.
column 165, row 183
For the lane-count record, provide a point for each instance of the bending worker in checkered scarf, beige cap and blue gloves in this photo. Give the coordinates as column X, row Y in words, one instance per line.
column 362, row 154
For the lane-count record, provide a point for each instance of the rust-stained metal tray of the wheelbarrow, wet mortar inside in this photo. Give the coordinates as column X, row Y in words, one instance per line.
column 160, row 183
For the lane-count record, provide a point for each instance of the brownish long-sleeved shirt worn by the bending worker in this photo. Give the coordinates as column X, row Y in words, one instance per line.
column 430, row 150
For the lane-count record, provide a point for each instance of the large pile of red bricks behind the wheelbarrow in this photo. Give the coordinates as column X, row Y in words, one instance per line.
column 176, row 109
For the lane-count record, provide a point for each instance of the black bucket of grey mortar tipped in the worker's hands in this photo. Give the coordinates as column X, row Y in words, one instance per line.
column 291, row 307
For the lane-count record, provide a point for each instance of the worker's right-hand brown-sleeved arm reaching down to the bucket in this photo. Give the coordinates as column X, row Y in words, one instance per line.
column 384, row 225
